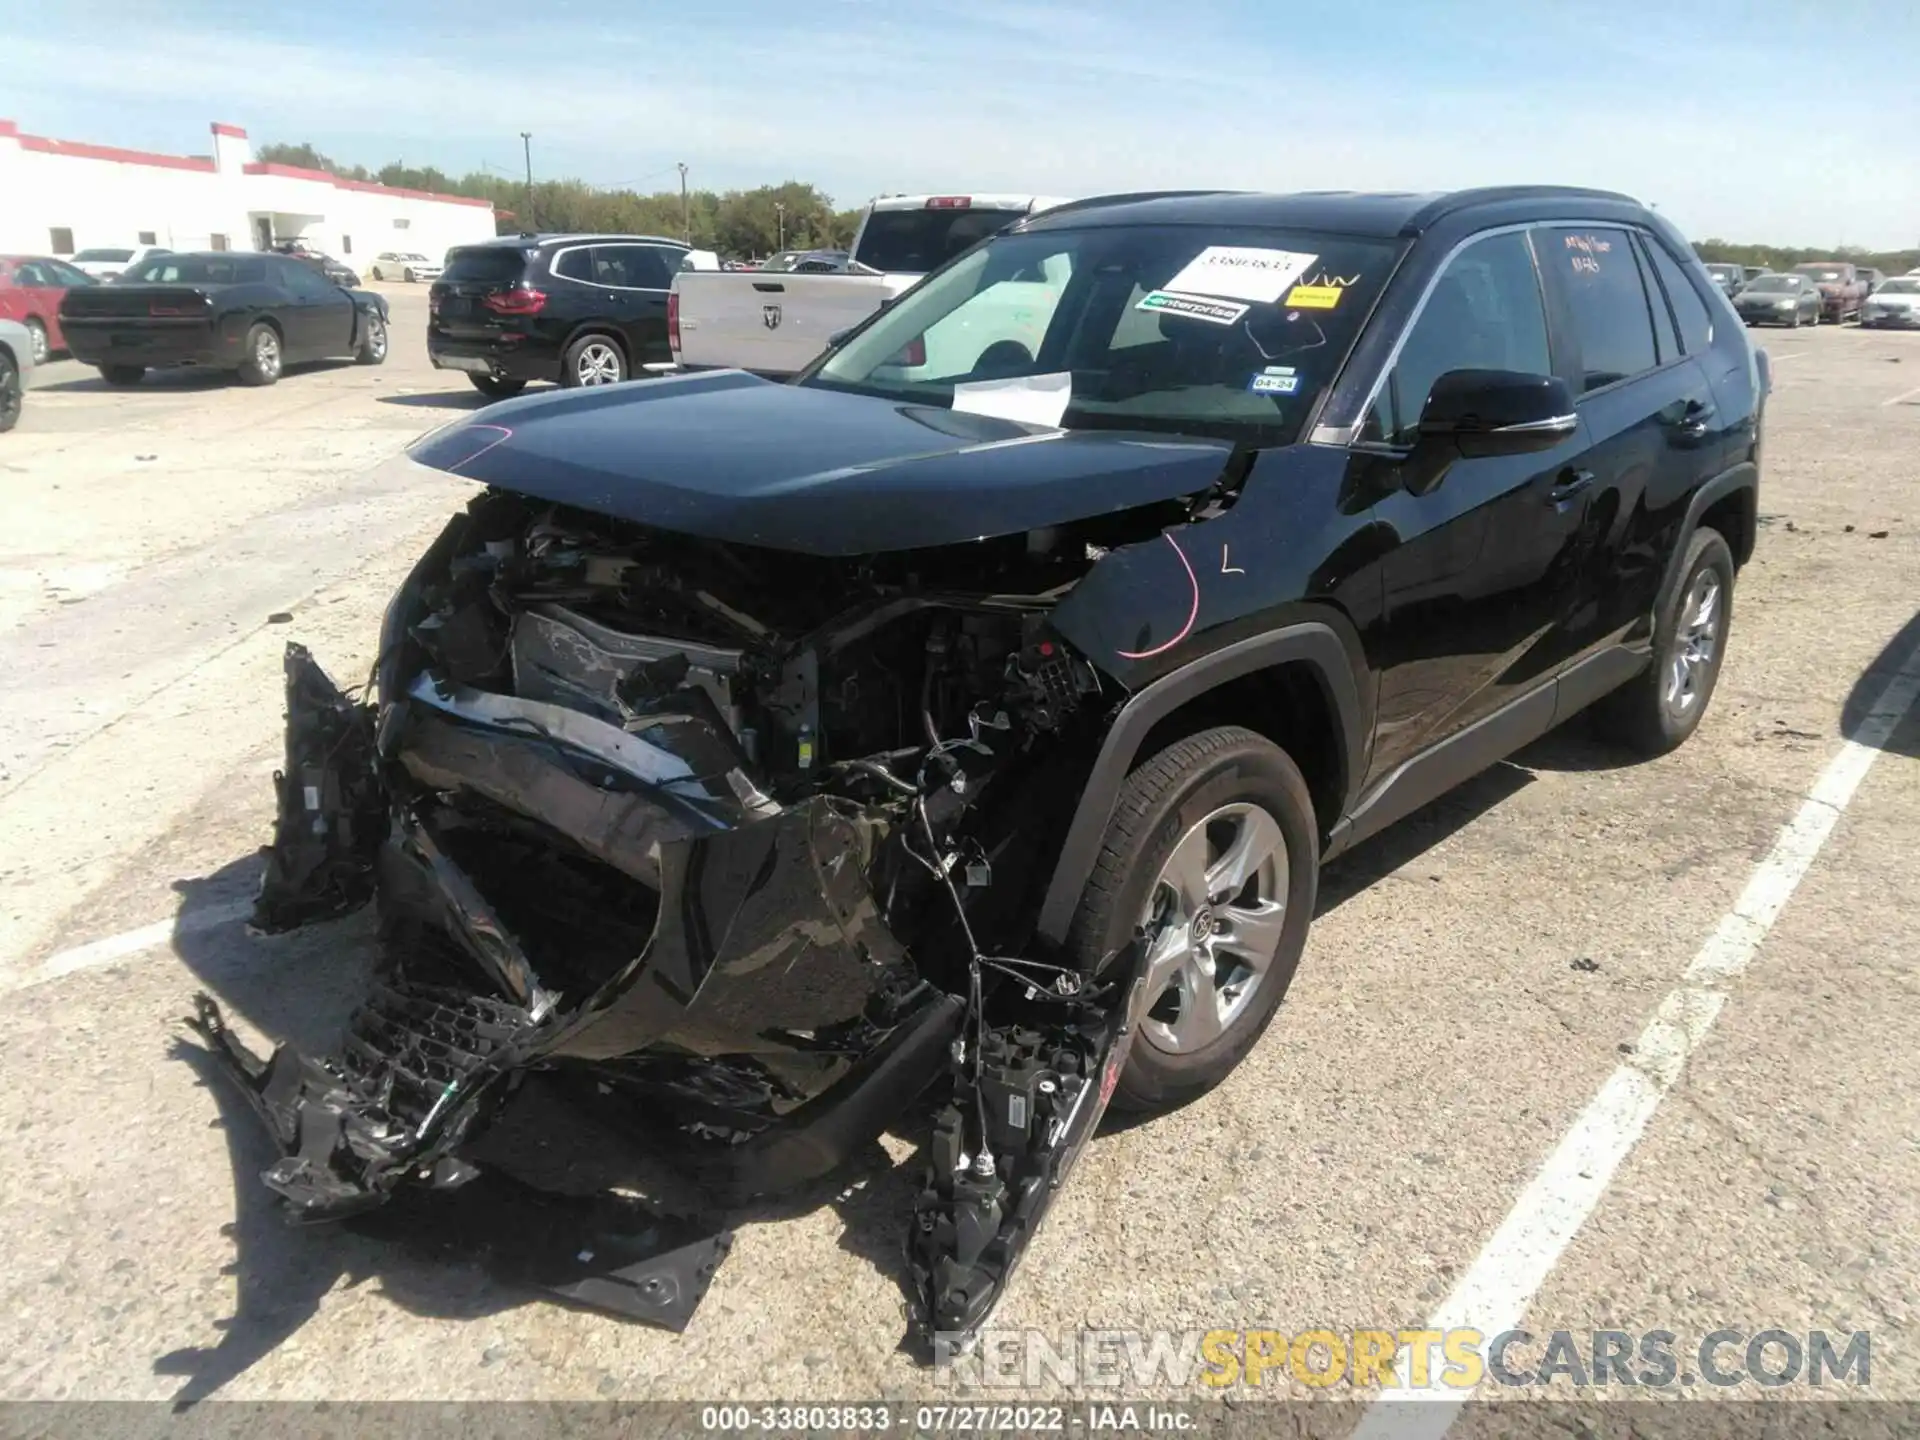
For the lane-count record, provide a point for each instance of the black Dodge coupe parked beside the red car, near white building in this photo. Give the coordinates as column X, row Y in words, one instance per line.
column 229, row 312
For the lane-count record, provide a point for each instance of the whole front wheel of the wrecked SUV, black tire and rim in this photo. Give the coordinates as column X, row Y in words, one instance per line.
column 1203, row 798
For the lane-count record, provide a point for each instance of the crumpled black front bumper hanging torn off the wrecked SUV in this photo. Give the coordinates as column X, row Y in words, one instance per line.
column 767, row 999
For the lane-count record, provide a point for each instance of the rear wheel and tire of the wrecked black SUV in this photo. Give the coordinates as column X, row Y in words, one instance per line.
column 1662, row 708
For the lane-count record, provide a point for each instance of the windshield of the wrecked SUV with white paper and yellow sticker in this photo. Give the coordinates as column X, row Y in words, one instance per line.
column 1178, row 329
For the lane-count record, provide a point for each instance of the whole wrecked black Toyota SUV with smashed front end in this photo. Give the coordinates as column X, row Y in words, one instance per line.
column 967, row 723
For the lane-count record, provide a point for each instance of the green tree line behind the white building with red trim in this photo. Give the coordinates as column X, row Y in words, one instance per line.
column 738, row 224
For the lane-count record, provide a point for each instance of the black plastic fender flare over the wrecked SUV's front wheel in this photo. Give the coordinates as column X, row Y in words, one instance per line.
column 1310, row 642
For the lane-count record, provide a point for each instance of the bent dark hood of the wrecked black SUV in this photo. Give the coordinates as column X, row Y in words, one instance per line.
column 734, row 458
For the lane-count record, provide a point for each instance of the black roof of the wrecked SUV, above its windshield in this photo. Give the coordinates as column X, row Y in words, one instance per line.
column 1339, row 212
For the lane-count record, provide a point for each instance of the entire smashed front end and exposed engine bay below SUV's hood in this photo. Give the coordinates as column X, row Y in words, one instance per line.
column 748, row 842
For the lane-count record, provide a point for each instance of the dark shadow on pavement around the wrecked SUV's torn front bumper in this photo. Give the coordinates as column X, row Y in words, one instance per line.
column 300, row 990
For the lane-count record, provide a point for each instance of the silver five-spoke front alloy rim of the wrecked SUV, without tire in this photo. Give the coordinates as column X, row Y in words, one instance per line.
column 1216, row 917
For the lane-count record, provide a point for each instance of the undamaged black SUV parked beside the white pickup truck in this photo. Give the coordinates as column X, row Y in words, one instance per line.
column 583, row 310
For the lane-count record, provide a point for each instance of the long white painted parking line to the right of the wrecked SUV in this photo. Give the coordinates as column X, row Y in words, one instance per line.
column 1497, row 1291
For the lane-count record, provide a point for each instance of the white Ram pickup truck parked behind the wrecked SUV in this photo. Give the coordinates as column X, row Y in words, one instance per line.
column 777, row 324
